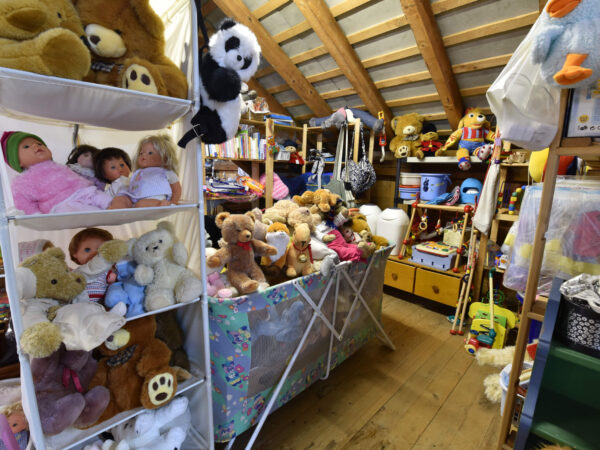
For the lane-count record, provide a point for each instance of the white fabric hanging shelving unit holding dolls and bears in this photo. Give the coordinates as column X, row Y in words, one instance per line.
column 56, row 110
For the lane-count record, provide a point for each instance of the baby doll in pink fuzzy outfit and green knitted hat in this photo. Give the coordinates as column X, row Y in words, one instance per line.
column 44, row 186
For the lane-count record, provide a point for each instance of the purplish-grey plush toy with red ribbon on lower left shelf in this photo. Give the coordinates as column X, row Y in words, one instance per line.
column 61, row 383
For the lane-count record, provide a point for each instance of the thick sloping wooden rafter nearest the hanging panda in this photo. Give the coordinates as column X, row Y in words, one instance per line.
column 273, row 53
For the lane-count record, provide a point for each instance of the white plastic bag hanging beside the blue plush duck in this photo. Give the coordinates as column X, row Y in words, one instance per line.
column 525, row 106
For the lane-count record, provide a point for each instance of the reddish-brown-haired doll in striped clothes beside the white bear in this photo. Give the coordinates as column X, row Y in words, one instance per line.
column 98, row 272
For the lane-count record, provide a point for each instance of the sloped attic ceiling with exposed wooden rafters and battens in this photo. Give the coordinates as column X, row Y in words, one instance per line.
column 372, row 55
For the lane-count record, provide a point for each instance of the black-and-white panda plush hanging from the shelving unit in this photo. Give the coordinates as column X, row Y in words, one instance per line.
column 232, row 58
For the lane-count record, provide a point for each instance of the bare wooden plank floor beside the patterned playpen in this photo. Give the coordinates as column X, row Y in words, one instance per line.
column 427, row 394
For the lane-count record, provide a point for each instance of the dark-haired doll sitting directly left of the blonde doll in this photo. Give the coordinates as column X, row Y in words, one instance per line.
column 113, row 167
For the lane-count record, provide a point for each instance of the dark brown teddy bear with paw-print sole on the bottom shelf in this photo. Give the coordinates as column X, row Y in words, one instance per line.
column 134, row 367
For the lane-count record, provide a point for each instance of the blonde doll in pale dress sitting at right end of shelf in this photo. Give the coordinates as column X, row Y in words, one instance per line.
column 154, row 181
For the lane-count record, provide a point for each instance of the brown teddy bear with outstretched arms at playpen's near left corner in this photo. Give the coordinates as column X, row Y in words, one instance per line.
column 238, row 253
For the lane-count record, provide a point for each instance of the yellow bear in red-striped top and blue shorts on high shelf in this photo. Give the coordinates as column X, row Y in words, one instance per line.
column 472, row 133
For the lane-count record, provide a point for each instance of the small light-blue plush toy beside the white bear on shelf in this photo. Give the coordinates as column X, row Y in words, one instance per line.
column 126, row 289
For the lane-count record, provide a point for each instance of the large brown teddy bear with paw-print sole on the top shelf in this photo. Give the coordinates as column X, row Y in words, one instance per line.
column 128, row 47
